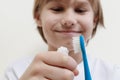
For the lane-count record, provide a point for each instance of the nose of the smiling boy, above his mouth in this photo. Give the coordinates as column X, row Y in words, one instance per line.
column 68, row 19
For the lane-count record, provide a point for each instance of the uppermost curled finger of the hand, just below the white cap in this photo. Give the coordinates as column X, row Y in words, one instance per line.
column 56, row 59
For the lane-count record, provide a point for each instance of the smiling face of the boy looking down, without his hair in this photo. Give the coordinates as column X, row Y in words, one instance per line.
column 63, row 19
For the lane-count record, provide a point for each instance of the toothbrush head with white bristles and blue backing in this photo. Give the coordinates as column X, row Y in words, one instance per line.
column 78, row 42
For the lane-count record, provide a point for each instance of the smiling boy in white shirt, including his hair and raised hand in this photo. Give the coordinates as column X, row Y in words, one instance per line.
column 58, row 21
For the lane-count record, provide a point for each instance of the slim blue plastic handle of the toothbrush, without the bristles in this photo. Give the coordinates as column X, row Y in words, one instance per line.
column 85, row 62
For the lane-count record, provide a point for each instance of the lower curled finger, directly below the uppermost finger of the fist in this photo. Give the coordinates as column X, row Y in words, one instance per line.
column 56, row 73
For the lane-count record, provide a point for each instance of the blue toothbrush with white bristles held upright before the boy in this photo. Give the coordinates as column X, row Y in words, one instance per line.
column 78, row 45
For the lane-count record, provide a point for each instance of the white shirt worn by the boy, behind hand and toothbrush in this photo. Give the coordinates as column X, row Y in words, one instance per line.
column 99, row 69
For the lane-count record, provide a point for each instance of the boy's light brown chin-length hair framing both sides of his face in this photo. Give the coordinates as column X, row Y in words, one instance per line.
column 96, row 6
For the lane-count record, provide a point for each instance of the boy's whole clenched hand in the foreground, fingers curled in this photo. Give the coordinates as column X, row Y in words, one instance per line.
column 51, row 66
